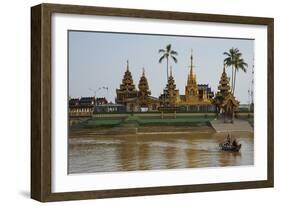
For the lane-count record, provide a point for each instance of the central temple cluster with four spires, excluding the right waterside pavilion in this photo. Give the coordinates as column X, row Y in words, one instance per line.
column 197, row 97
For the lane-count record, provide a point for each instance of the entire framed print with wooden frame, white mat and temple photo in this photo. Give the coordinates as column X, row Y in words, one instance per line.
column 130, row 102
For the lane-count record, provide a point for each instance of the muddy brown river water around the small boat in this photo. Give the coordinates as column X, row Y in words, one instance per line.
column 88, row 153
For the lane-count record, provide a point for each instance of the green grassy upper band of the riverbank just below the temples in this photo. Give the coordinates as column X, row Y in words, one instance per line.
column 150, row 119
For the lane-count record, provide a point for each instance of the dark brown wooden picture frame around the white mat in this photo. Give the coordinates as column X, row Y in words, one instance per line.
column 41, row 101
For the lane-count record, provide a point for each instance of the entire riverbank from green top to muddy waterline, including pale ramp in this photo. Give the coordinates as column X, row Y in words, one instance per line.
column 151, row 124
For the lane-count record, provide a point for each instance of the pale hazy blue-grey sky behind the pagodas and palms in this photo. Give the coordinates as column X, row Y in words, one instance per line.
column 98, row 59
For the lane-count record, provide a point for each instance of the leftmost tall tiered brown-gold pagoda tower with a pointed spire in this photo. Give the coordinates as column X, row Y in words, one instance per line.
column 127, row 88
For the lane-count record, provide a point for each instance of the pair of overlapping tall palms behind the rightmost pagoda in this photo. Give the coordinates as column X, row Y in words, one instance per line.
column 236, row 62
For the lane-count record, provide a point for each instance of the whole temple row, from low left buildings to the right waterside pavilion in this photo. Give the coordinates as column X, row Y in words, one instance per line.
column 196, row 97
